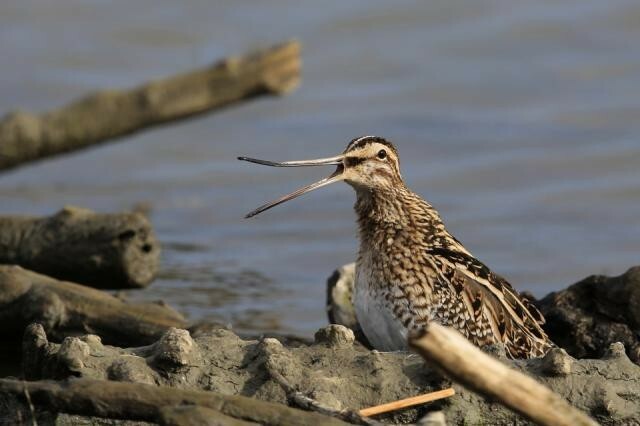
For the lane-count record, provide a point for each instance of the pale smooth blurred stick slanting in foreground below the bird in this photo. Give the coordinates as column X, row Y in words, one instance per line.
column 449, row 351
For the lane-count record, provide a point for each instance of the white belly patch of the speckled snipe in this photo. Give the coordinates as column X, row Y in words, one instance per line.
column 378, row 322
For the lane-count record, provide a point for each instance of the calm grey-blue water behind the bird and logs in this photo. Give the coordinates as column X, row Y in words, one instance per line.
column 519, row 121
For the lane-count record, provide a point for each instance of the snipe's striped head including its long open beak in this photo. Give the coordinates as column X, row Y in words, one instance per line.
column 369, row 163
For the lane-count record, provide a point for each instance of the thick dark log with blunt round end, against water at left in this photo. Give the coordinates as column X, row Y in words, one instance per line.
column 99, row 250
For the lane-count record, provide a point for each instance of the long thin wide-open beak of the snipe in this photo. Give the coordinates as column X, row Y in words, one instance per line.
column 334, row 177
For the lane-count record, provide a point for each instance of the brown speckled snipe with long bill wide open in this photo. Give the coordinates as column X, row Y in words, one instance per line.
column 410, row 269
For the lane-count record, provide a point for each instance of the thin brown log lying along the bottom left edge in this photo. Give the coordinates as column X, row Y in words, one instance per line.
column 137, row 401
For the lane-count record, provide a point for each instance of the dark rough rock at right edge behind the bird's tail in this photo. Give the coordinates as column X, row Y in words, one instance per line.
column 590, row 315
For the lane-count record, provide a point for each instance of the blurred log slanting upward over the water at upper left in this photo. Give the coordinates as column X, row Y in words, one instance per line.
column 111, row 114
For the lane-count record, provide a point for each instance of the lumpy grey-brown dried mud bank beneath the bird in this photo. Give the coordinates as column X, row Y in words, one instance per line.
column 335, row 370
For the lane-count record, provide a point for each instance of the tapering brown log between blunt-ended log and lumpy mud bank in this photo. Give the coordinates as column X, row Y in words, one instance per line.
column 65, row 308
